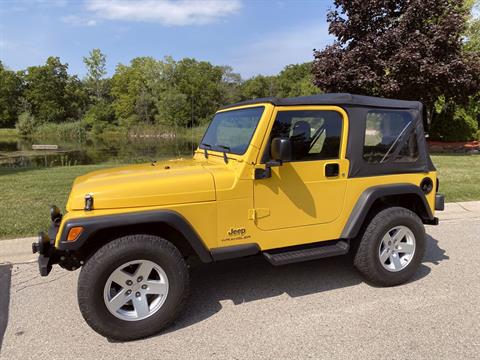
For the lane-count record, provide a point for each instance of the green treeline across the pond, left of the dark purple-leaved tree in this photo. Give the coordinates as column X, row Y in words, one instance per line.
column 168, row 93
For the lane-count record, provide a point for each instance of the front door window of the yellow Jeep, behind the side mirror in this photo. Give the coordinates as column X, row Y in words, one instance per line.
column 314, row 134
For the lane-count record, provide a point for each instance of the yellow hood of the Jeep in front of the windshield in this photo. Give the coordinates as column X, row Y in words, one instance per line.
column 164, row 183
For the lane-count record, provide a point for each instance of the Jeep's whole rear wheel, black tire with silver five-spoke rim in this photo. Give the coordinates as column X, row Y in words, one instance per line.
column 391, row 247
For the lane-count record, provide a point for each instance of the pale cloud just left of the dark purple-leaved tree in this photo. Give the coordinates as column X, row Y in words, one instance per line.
column 272, row 52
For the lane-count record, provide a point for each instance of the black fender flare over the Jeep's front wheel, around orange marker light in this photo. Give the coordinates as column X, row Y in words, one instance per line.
column 94, row 224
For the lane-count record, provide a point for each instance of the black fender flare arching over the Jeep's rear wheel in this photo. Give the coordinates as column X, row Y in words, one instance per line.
column 370, row 195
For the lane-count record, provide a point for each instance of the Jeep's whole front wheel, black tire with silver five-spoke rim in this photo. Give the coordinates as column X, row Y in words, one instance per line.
column 133, row 287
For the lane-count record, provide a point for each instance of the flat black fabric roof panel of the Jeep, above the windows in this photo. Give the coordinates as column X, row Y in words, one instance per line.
column 335, row 99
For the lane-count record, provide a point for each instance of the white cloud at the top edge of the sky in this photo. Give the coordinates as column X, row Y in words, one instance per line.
column 166, row 12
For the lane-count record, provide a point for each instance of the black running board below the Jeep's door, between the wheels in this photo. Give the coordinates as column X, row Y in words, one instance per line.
column 311, row 253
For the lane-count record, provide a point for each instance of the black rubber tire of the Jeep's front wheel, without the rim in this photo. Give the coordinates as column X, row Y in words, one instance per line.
column 98, row 268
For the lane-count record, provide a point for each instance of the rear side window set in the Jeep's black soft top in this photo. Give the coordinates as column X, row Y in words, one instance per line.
column 390, row 137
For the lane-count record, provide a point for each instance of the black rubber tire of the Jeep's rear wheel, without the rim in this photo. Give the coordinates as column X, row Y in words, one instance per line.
column 367, row 259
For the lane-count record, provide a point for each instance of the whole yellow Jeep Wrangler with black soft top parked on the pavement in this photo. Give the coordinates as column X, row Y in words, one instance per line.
column 294, row 179
